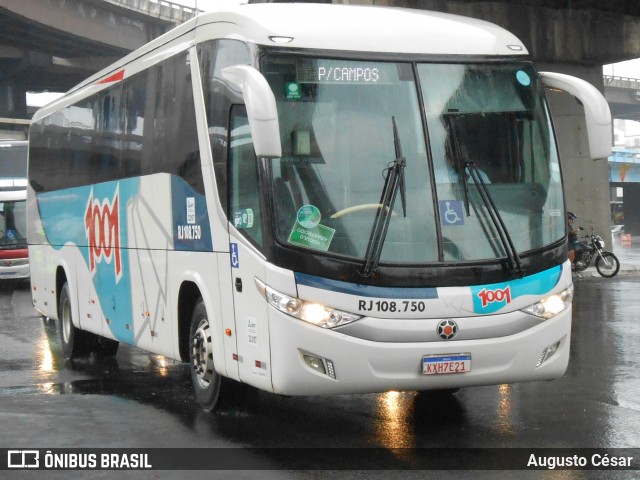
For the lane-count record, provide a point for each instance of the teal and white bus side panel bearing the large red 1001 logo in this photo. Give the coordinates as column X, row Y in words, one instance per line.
column 88, row 228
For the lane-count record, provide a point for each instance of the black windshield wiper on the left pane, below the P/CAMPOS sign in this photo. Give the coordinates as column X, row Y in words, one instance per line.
column 394, row 182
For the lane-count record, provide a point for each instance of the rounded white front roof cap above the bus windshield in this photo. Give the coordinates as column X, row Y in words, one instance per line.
column 369, row 29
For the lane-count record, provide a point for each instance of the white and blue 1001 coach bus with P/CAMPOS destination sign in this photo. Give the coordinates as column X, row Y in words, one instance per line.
column 312, row 199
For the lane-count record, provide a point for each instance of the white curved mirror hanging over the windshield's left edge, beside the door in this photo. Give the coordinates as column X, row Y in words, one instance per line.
column 261, row 109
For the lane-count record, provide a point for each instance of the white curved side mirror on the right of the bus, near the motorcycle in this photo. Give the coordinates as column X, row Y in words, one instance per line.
column 596, row 110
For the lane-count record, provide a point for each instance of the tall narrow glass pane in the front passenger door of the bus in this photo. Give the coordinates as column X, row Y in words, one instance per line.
column 244, row 193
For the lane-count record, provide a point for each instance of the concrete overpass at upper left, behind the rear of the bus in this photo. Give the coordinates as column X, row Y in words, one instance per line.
column 50, row 45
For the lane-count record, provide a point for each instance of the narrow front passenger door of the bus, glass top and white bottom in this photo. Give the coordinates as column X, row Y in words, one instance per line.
column 247, row 262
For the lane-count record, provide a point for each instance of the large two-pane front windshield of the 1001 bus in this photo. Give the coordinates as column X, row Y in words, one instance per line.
column 337, row 125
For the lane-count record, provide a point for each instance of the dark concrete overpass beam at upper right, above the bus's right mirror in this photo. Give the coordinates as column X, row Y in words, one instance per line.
column 578, row 32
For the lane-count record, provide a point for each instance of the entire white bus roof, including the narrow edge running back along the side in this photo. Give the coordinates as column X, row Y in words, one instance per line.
column 343, row 28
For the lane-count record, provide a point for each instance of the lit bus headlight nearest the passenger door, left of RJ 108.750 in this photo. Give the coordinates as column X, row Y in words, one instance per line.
column 315, row 313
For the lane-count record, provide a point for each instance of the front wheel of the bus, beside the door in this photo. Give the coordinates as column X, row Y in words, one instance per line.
column 206, row 381
